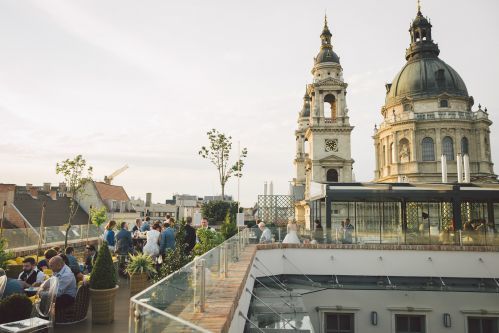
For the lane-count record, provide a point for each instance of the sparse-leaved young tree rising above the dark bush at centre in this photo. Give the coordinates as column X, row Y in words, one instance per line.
column 218, row 153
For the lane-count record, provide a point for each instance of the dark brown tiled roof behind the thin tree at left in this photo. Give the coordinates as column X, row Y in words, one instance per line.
column 56, row 212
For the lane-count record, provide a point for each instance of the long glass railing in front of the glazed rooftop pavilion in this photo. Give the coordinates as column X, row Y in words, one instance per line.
column 397, row 237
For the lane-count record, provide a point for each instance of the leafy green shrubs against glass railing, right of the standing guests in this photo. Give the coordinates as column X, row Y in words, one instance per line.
column 178, row 258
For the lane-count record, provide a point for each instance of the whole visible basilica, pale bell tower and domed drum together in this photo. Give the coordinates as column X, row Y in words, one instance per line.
column 429, row 125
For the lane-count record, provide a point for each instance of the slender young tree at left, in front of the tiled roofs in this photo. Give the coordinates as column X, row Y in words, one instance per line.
column 76, row 174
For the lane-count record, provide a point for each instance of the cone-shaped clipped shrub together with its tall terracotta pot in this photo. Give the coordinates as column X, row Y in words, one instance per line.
column 103, row 287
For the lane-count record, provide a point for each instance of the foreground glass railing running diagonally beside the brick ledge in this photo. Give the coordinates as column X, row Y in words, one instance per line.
column 175, row 303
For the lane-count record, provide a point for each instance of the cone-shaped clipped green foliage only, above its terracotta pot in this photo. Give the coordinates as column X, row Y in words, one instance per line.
column 103, row 273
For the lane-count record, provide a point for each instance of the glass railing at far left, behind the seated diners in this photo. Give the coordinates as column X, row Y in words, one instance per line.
column 28, row 237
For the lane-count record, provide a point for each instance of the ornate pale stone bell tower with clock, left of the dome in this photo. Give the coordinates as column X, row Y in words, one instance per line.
column 323, row 152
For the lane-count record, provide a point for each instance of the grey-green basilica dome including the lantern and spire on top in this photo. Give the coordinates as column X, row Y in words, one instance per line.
column 424, row 75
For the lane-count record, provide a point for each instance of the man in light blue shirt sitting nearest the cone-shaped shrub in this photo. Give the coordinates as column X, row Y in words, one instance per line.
column 66, row 291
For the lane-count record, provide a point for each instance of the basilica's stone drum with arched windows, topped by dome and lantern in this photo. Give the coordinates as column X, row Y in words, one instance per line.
column 428, row 114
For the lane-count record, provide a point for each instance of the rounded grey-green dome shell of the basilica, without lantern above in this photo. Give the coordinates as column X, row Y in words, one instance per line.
column 426, row 78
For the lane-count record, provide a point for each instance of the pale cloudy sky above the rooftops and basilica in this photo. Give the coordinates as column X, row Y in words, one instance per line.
column 141, row 82
